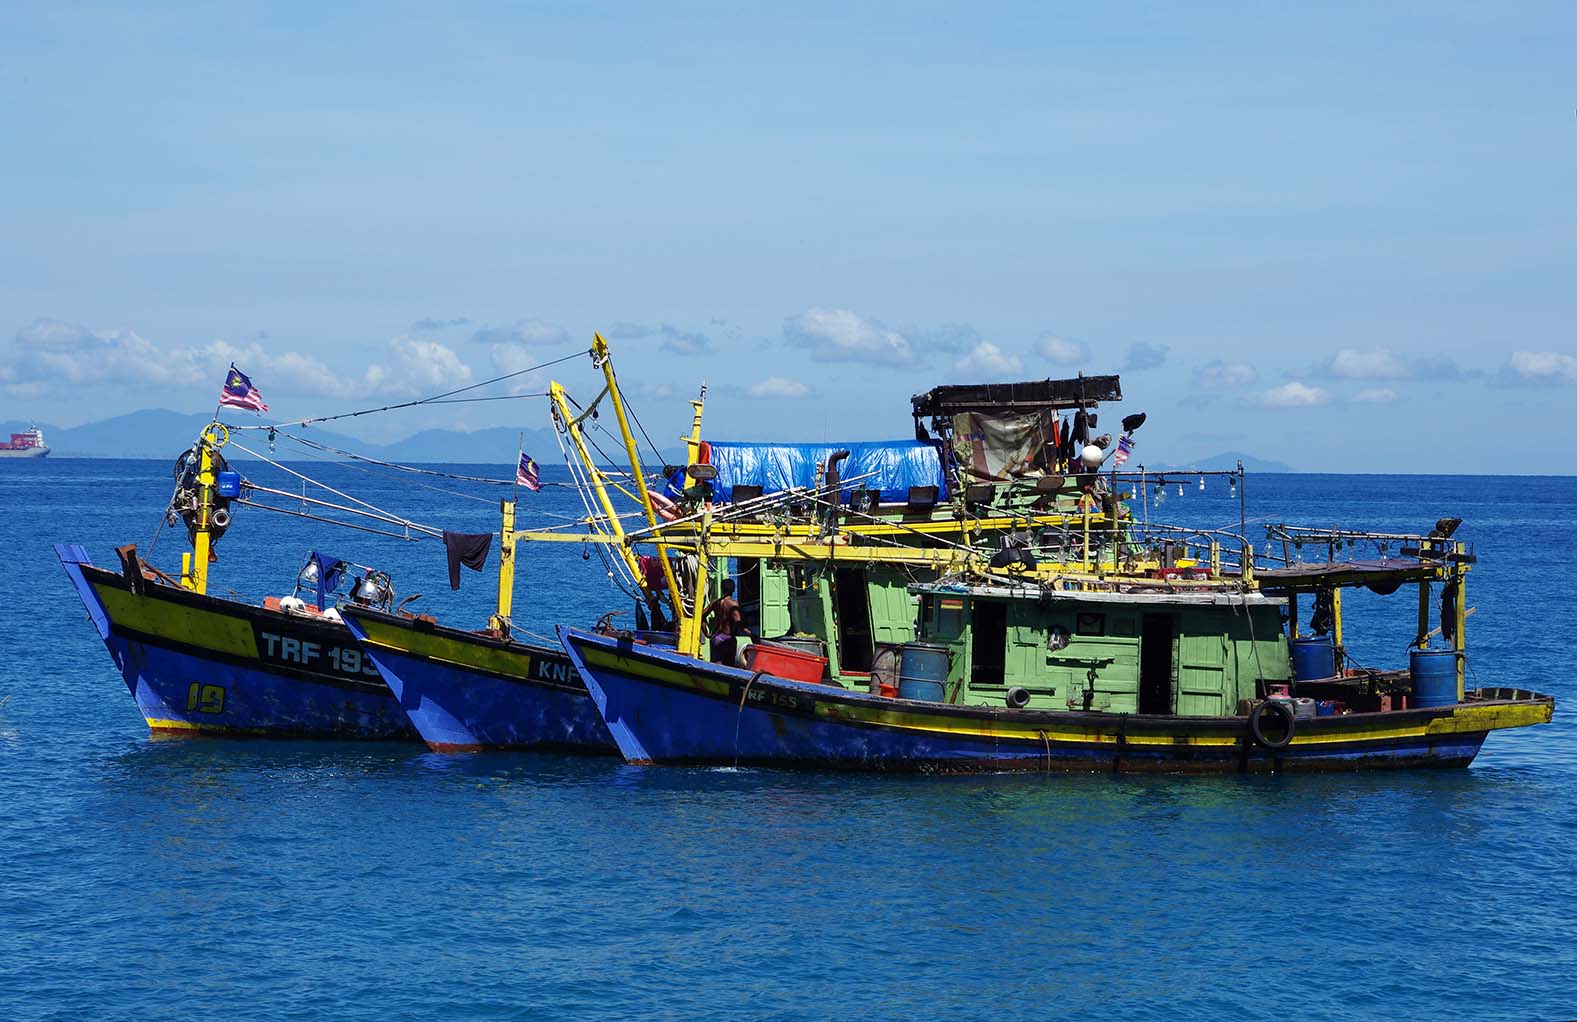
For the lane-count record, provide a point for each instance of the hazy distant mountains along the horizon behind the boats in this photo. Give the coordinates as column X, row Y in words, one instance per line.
column 160, row 433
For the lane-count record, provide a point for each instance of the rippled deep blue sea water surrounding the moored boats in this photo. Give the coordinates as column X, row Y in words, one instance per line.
column 168, row 879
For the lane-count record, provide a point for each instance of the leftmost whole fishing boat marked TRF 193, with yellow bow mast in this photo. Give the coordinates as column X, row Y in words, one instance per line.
column 289, row 668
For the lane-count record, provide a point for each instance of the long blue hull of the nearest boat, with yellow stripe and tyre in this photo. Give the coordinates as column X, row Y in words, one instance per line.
column 669, row 709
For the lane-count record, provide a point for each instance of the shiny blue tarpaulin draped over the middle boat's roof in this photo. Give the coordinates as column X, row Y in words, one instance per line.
column 893, row 466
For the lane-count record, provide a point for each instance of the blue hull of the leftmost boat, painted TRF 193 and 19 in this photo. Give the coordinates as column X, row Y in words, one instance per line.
column 228, row 687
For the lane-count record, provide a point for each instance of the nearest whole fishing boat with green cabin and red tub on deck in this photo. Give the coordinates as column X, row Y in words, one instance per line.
column 1119, row 647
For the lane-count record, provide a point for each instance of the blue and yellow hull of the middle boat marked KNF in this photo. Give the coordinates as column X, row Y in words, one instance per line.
column 540, row 704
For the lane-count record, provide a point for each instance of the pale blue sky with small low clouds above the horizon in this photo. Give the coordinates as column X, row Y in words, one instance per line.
column 1343, row 237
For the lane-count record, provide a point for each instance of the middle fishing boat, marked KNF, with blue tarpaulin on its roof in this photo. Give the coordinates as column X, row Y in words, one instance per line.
column 482, row 690
